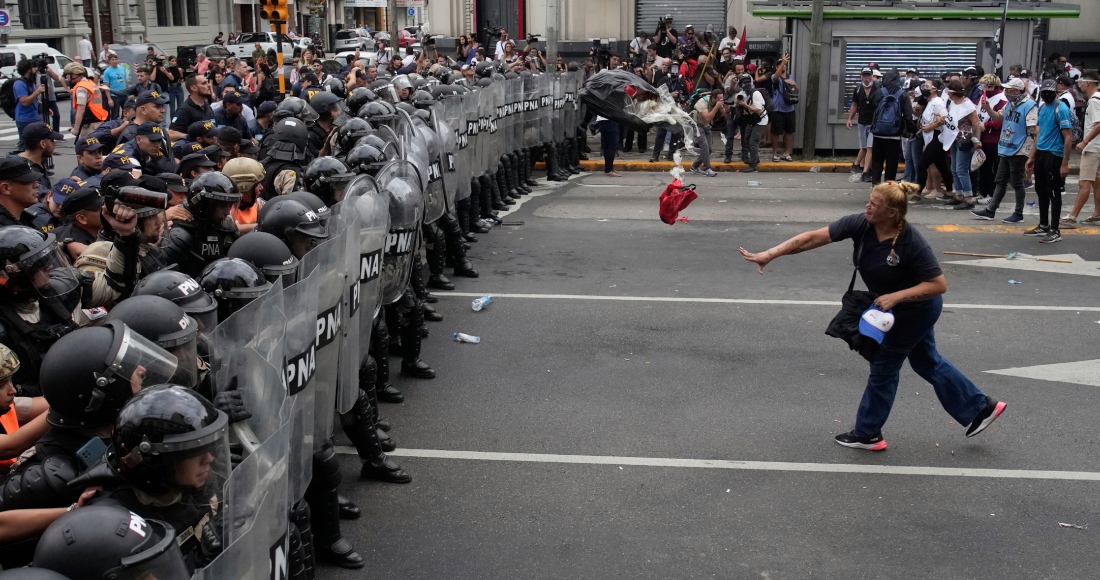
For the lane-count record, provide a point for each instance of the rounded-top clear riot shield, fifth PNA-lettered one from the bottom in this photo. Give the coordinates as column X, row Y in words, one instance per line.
column 400, row 183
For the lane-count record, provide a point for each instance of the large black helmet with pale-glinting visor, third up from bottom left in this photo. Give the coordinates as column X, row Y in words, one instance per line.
column 89, row 375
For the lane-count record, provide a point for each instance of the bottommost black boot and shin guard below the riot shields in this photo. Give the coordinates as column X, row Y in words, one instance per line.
column 329, row 544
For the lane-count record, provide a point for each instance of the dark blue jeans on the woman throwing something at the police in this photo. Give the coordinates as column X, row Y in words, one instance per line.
column 914, row 338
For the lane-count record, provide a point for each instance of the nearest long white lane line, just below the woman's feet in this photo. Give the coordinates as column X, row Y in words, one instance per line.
column 747, row 466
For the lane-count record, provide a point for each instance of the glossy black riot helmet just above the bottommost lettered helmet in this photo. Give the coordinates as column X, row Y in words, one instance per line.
column 157, row 430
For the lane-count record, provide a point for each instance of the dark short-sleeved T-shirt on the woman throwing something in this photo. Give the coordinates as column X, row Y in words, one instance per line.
column 917, row 261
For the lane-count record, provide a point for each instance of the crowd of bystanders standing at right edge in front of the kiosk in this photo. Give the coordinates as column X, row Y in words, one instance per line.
column 966, row 137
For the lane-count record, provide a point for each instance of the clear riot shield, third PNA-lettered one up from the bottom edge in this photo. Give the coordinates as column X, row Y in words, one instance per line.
column 329, row 261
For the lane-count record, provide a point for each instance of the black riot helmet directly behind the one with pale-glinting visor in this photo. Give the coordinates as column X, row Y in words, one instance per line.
column 169, row 327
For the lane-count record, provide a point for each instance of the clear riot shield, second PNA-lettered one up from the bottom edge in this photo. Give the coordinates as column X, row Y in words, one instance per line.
column 300, row 367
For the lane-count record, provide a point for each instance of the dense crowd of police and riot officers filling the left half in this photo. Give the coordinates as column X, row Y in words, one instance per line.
column 118, row 279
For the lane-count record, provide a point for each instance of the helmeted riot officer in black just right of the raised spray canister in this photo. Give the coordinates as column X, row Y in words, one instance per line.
column 194, row 245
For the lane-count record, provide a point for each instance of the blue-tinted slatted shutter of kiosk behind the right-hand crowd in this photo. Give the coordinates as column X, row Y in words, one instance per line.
column 930, row 59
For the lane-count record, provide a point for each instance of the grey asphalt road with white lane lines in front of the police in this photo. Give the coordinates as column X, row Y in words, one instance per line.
column 644, row 404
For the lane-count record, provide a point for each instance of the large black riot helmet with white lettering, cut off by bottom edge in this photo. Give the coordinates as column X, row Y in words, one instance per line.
column 106, row 541
